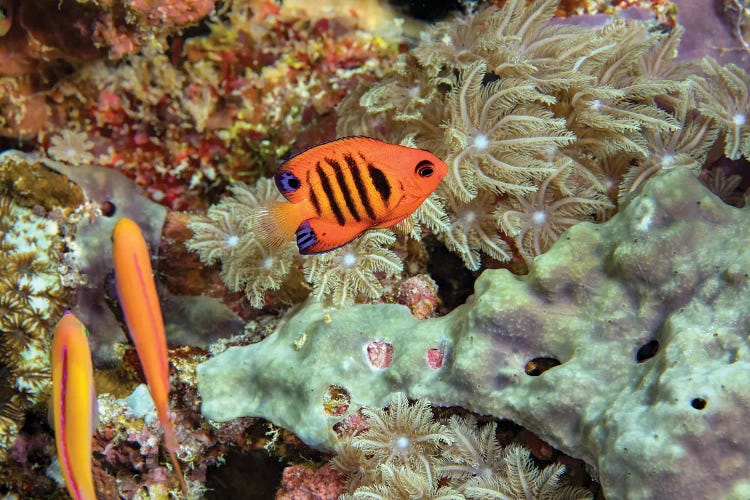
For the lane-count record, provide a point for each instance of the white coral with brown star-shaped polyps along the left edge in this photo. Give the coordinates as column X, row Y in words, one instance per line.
column 34, row 204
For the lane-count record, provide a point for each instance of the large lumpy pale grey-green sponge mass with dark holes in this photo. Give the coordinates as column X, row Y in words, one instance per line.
column 625, row 346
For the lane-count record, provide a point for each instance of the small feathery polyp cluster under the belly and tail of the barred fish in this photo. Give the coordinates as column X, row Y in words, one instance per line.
column 226, row 233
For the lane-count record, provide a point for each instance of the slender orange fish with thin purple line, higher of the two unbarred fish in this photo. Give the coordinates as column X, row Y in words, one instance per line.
column 136, row 291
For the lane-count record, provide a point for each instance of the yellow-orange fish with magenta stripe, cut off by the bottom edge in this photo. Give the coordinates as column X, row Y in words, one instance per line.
column 73, row 405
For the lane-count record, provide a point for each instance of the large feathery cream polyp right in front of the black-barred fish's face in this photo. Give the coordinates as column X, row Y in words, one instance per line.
column 495, row 132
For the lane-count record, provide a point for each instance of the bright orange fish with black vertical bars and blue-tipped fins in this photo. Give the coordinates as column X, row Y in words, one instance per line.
column 340, row 189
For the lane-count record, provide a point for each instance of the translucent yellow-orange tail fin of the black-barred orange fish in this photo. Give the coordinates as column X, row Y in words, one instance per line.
column 275, row 222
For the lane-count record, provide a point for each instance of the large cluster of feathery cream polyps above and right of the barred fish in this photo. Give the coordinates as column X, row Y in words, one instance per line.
column 530, row 115
